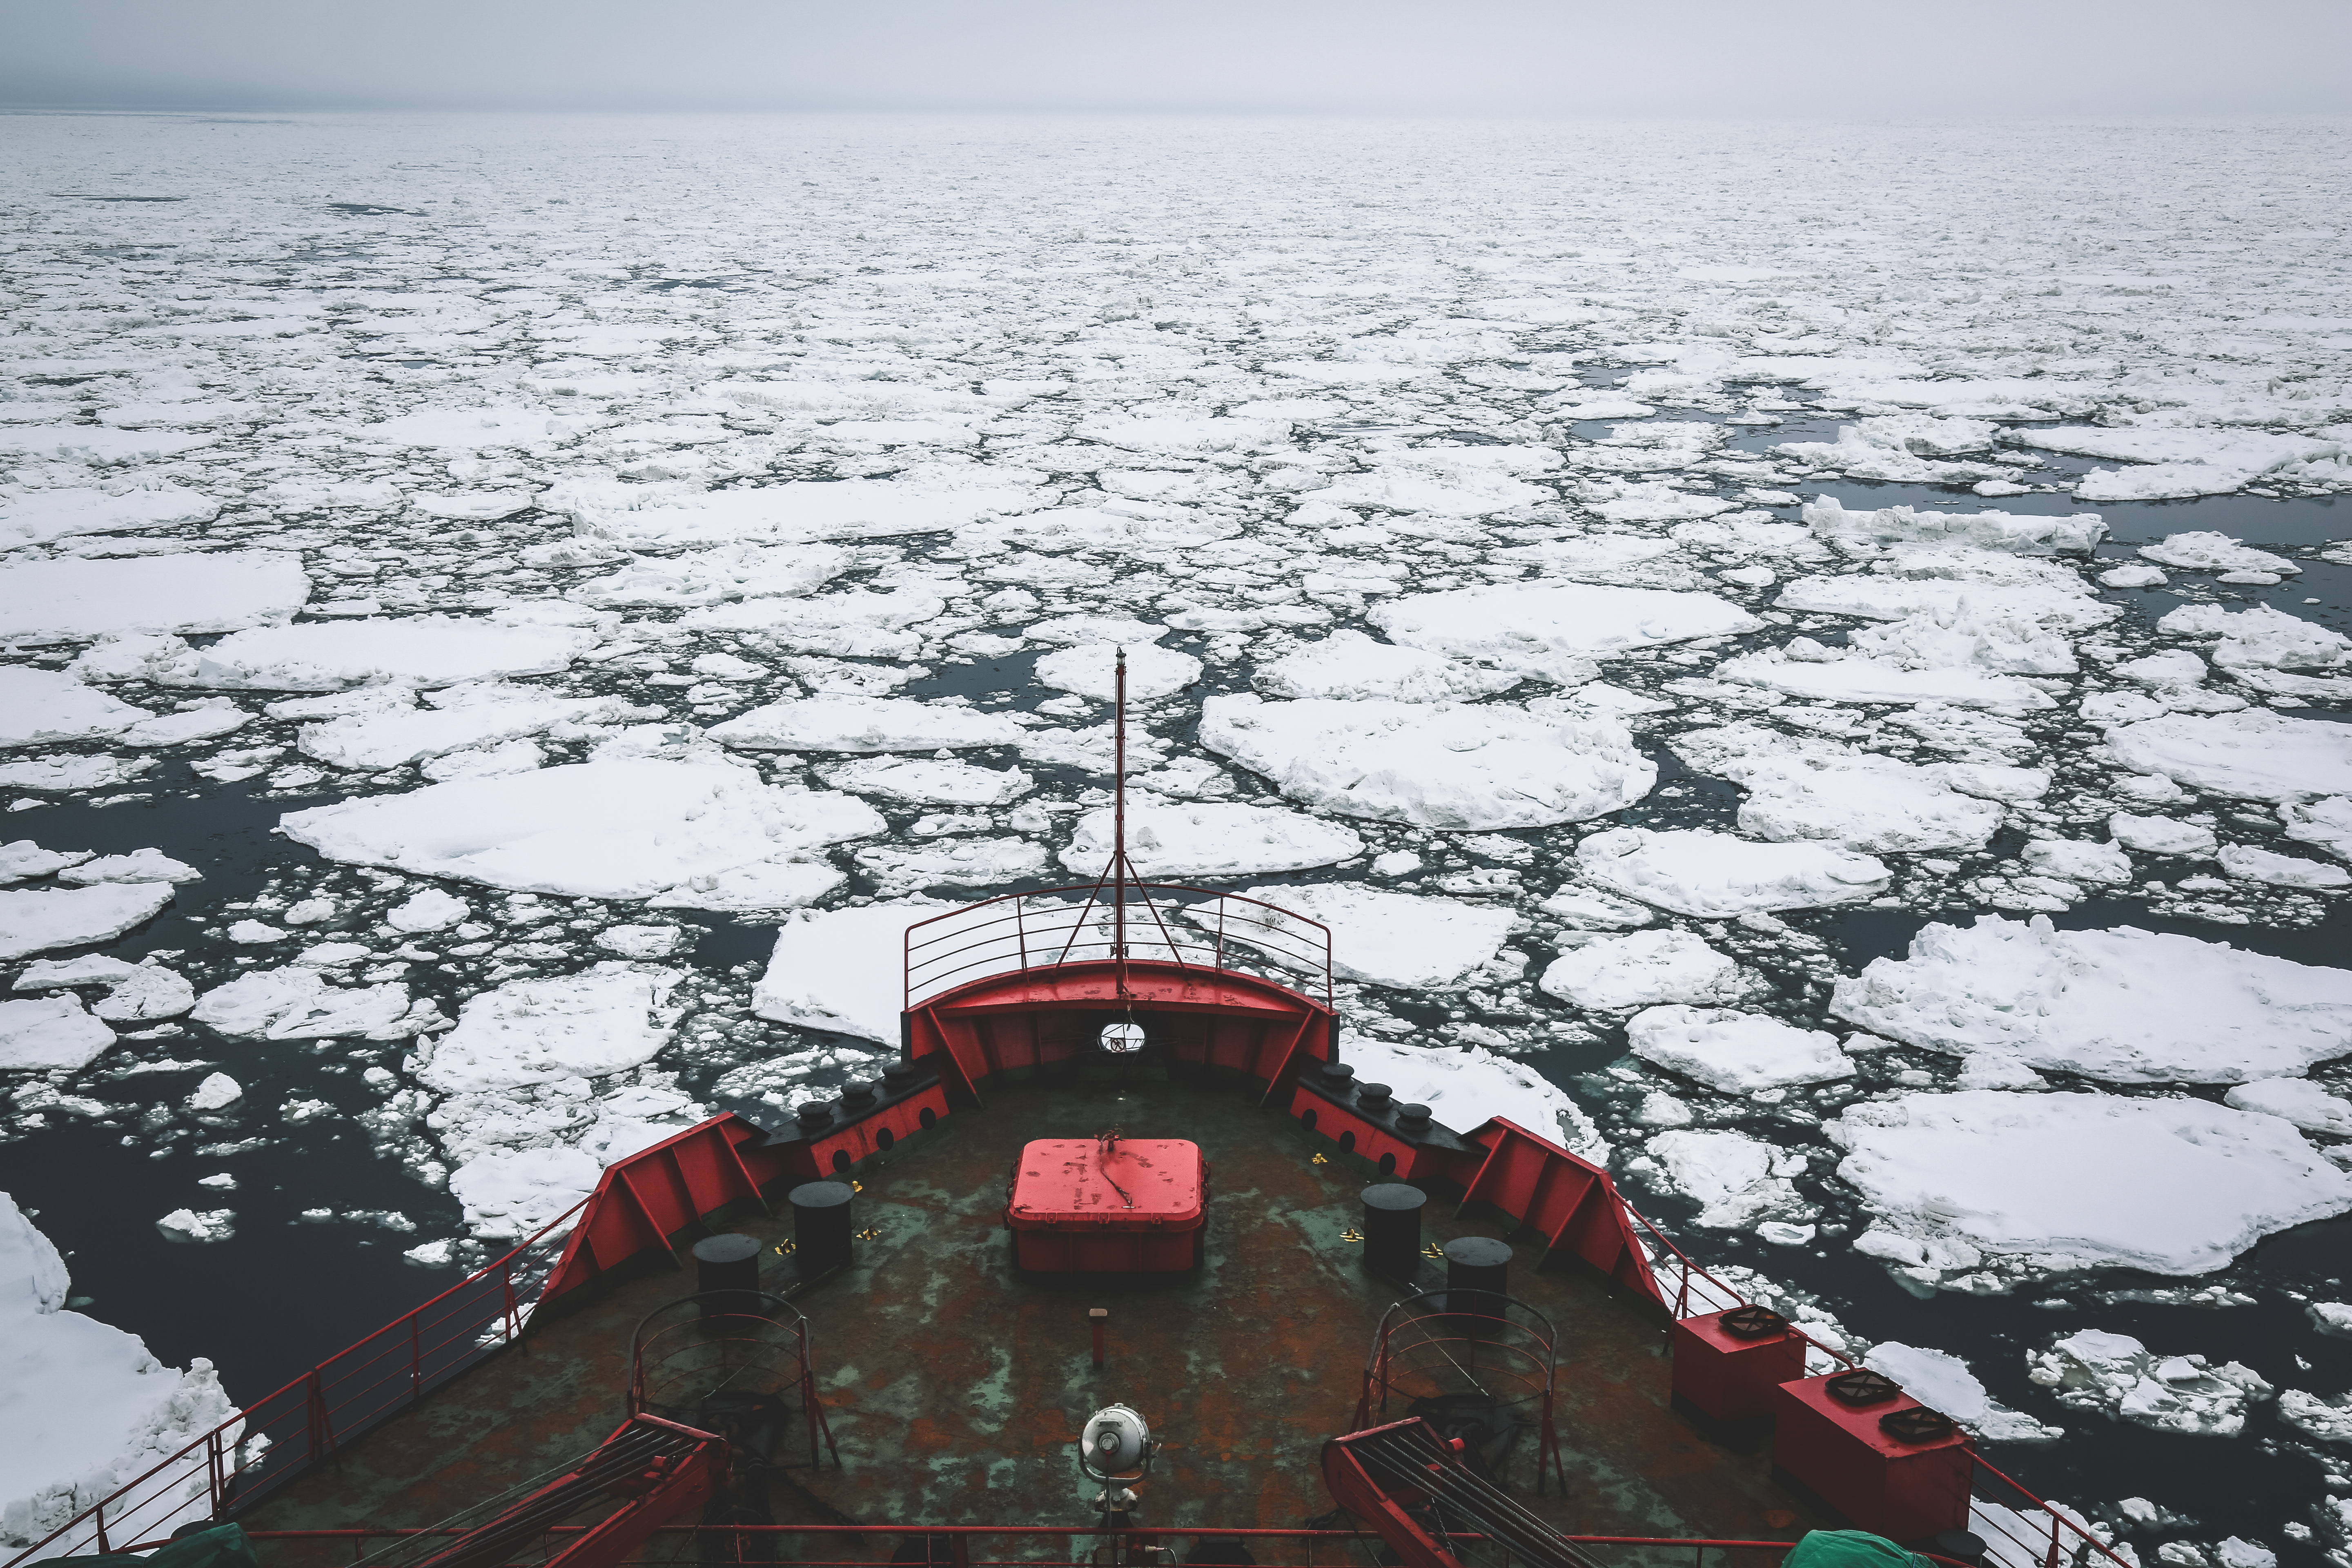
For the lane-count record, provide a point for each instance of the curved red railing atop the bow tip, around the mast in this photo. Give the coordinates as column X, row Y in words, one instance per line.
column 1149, row 923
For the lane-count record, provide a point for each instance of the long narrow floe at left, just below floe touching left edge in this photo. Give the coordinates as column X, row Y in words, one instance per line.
column 335, row 655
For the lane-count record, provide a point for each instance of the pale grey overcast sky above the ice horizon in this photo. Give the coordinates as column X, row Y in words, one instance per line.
column 1563, row 58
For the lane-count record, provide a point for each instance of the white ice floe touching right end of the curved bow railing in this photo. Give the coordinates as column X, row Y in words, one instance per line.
column 1377, row 937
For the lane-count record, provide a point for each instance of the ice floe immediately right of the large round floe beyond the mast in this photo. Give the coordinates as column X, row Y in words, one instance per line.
column 1812, row 789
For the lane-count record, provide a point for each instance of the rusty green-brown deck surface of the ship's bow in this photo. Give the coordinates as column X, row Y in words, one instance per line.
column 956, row 1388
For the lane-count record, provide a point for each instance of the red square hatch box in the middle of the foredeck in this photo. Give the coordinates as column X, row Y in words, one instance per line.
column 1069, row 1212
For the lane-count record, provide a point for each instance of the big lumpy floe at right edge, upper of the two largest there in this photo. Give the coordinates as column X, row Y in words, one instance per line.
column 2130, row 1007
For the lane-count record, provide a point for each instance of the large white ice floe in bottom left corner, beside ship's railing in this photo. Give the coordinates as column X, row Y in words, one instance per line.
column 83, row 1407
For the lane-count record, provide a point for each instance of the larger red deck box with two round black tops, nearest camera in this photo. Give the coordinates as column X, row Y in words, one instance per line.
column 1883, row 1485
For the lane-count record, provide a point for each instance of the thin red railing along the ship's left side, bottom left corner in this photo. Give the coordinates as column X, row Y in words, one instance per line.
column 302, row 1423
